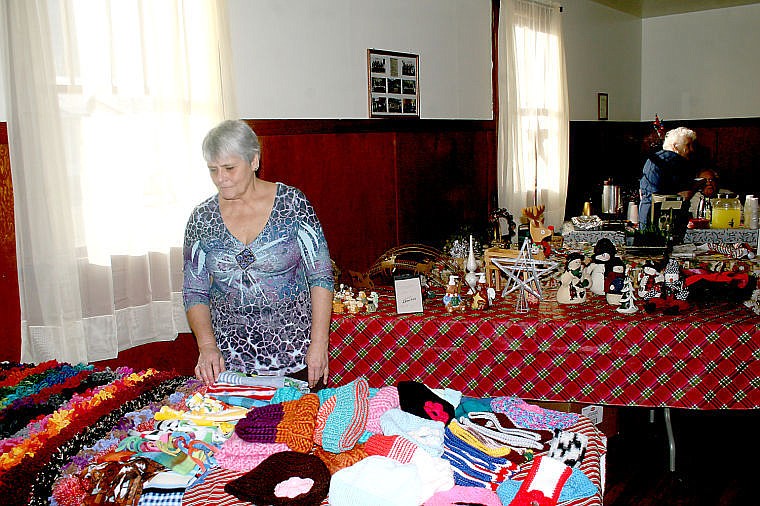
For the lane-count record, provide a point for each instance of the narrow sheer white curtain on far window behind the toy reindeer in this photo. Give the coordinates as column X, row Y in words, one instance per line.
column 533, row 132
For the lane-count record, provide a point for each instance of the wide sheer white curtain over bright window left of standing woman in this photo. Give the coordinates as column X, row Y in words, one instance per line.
column 109, row 101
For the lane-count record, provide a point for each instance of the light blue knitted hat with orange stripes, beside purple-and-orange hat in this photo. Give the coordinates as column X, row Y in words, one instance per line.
column 342, row 418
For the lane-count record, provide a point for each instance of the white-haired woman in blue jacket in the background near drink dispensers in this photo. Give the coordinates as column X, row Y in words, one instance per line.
column 668, row 171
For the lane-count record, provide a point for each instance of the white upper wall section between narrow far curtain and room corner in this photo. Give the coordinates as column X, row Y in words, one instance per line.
column 603, row 54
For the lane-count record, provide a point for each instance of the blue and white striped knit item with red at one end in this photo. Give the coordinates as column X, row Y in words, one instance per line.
column 472, row 467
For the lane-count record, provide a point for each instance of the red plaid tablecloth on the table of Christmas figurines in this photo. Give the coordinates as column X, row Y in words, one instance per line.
column 704, row 358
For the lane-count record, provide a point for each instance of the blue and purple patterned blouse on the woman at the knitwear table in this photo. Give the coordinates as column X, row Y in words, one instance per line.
column 258, row 293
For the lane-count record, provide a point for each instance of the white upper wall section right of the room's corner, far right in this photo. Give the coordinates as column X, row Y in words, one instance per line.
column 702, row 65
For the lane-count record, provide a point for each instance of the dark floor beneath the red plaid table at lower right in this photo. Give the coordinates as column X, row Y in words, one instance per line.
column 706, row 473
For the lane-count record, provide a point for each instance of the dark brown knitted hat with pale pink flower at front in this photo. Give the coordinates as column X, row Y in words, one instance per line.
column 263, row 485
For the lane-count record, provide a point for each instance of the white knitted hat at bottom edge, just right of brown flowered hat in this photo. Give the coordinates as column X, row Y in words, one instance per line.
column 376, row 481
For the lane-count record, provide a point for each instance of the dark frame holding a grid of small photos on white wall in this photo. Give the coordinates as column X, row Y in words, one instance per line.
column 393, row 84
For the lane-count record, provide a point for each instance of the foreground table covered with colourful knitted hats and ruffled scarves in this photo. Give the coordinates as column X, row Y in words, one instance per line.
column 79, row 434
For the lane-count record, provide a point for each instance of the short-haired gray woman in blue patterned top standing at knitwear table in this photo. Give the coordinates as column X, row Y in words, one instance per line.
column 258, row 278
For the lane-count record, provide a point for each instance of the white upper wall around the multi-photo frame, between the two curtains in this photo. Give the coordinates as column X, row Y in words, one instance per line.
column 308, row 58
